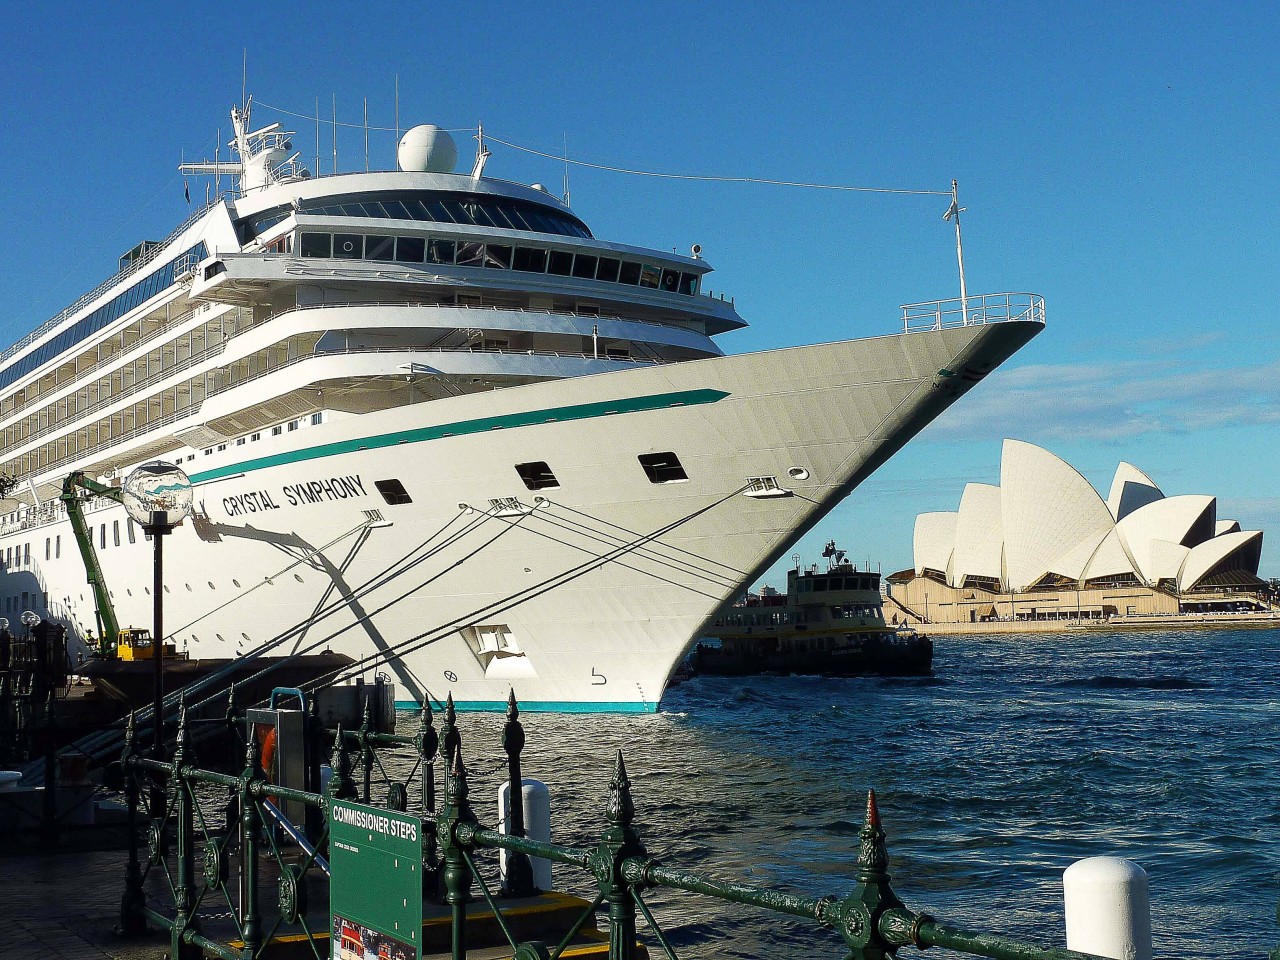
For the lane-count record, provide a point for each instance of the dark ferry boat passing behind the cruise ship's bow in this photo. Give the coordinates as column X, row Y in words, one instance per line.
column 829, row 623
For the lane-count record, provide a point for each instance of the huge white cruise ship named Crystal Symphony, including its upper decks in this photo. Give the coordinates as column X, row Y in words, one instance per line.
column 436, row 424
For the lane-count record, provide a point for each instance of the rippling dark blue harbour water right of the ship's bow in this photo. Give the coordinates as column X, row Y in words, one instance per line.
column 1020, row 757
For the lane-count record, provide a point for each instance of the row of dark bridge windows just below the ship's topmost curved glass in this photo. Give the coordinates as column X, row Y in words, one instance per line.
column 499, row 257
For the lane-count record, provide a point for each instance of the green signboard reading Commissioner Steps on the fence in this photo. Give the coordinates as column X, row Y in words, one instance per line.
column 376, row 889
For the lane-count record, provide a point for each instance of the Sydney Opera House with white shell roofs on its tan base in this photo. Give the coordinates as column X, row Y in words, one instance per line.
column 1045, row 546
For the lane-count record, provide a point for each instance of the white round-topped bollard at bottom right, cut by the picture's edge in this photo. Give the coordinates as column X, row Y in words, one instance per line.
column 1108, row 909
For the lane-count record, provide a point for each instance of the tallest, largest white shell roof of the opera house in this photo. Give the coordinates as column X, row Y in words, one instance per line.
column 1046, row 510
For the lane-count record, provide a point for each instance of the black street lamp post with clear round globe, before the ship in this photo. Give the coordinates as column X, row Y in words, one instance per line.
column 158, row 499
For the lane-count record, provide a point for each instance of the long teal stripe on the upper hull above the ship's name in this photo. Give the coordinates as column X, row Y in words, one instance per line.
column 463, row 428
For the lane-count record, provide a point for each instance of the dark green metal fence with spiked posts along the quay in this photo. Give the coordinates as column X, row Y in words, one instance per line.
column 217, row 843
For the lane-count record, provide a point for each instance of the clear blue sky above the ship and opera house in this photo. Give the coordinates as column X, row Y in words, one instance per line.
column 1116, row 159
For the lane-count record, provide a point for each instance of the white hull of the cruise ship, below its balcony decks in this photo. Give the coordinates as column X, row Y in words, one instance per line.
column 583, row 601
